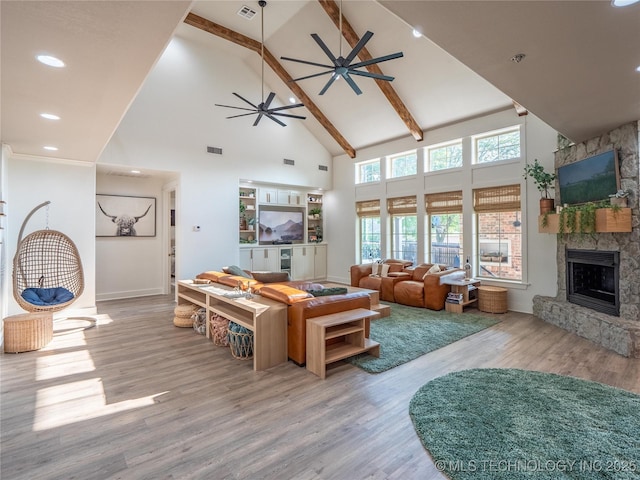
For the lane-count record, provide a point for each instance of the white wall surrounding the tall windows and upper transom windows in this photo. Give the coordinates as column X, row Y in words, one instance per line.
column 539, row 142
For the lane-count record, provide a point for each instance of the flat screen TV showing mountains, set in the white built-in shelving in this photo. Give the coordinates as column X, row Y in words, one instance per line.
column 280, row 225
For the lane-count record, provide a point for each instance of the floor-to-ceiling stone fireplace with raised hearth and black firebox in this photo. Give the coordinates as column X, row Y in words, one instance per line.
column 599, row 274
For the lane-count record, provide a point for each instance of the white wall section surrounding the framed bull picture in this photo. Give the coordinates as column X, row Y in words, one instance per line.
column 132, row 266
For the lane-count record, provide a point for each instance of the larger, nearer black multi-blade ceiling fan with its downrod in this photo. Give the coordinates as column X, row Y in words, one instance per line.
column 341, row 66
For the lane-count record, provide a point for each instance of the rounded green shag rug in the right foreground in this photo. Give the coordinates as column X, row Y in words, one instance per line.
column 516, row 424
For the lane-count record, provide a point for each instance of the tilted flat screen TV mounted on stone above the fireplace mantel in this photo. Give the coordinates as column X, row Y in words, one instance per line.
column 589, row 180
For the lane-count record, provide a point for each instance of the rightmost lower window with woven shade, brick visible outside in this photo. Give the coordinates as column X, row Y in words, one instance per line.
column 499, row 232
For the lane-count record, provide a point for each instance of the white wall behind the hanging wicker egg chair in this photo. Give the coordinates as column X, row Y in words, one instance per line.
column 70, row 186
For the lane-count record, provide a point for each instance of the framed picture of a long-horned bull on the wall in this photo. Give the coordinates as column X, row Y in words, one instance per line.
column 124, row 216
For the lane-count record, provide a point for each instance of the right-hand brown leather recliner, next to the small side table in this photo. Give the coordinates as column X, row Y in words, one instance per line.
column 424, row 289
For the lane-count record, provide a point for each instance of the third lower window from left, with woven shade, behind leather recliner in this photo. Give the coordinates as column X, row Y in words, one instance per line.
column 444, row 221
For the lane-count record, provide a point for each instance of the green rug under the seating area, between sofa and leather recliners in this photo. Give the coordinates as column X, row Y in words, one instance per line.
column 410, row 332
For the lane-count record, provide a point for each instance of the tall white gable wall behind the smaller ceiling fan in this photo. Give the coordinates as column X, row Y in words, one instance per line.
column 172, row 121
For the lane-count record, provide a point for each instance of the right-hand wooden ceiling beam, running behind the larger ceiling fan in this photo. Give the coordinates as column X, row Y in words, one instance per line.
column 350, row 35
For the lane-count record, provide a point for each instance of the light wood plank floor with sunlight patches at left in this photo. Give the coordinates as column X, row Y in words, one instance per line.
column 137, row 398
